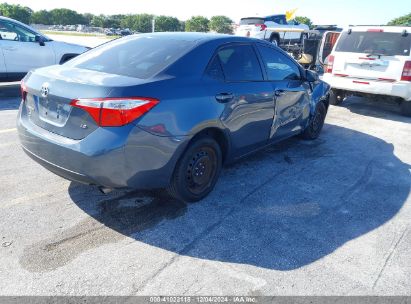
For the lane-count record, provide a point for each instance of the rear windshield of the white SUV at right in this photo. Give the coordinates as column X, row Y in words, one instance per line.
column 379, row 43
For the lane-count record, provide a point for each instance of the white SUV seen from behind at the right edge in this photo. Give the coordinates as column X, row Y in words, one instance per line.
column 371, row 60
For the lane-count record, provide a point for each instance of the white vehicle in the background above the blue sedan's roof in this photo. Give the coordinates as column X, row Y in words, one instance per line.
column 273, row 28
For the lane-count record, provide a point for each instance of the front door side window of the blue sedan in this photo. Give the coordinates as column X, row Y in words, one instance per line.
column 278, row 66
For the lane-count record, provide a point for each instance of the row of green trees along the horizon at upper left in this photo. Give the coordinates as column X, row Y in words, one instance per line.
column 137, row 22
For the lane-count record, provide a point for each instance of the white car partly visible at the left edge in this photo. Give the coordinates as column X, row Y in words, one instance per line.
column 22, row 48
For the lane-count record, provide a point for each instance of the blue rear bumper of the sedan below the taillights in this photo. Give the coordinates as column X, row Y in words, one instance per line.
column 126, row 157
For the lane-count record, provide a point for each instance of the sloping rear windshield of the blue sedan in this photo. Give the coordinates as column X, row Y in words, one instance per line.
column 139, row 57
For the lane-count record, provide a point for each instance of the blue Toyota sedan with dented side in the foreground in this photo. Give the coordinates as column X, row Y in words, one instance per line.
column 166, row 110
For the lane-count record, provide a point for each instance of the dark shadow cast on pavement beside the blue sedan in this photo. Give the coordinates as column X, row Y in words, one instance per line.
column 282, row 208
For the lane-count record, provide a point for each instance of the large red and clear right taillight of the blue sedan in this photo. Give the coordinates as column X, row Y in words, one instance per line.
column 115, row 112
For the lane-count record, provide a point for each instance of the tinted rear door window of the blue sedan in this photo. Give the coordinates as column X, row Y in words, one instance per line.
column 240, row 63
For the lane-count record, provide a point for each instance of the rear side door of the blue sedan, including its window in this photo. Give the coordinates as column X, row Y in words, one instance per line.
column 248, row 112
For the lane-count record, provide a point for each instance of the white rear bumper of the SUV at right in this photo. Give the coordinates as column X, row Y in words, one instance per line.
column 397, row 89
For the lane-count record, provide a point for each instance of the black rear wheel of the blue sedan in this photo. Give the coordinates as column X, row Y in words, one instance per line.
column 197, row 171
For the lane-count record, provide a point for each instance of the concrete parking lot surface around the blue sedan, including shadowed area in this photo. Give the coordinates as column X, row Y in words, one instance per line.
column 327, row 217
